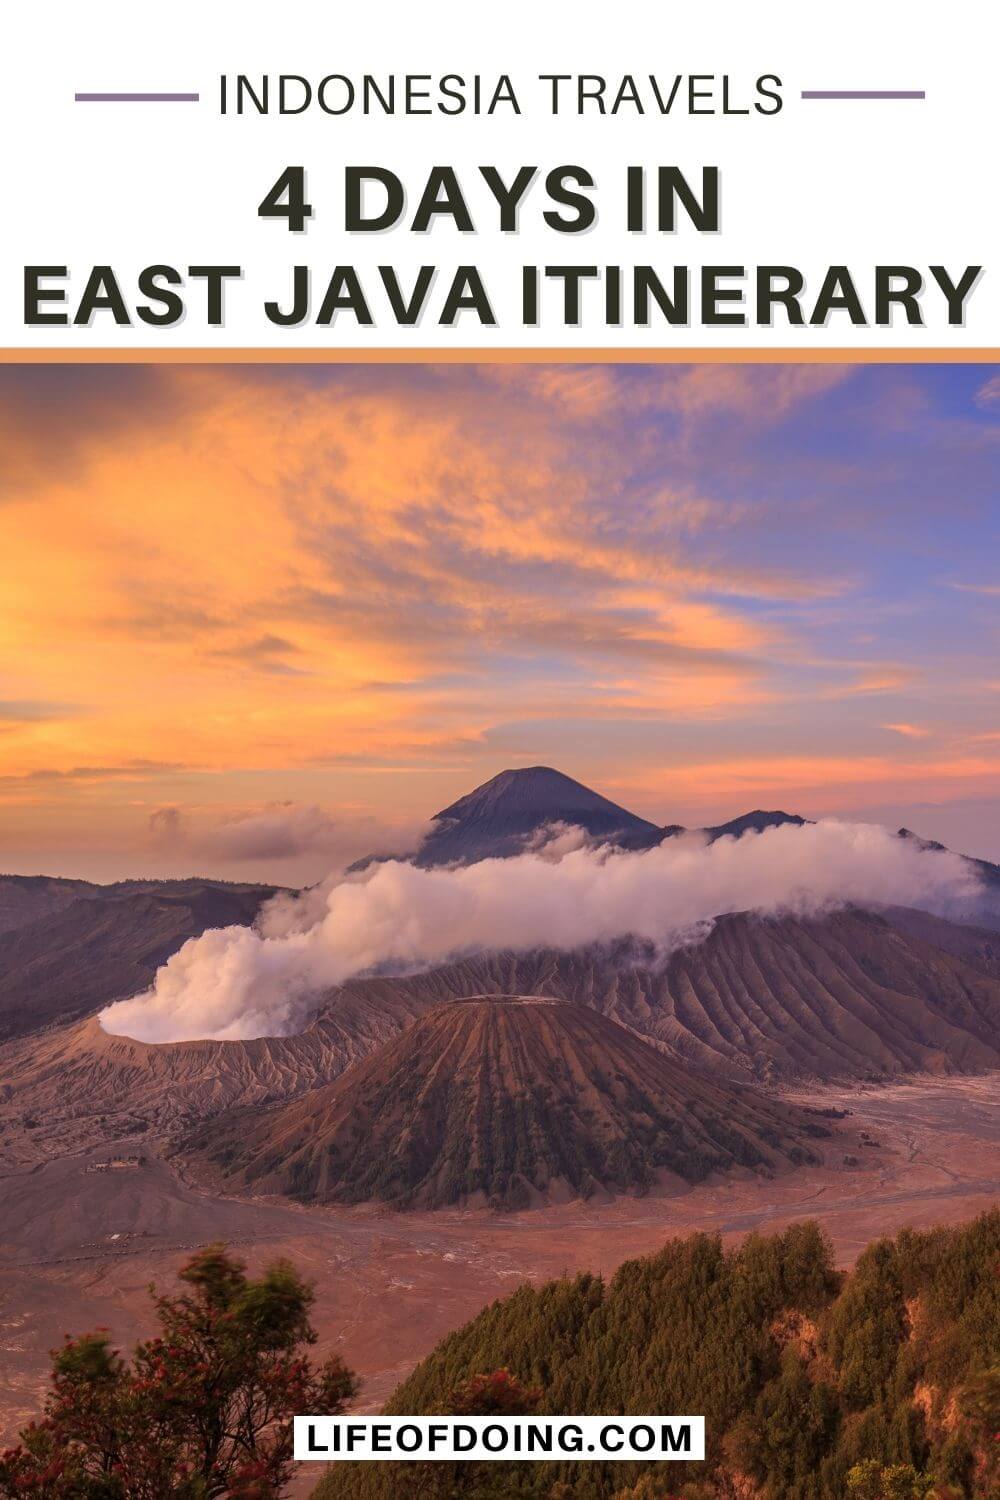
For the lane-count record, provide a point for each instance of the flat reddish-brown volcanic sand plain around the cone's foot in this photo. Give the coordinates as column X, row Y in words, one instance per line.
column 80, row 1247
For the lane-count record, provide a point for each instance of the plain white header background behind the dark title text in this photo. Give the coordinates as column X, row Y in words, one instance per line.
column 854, row 182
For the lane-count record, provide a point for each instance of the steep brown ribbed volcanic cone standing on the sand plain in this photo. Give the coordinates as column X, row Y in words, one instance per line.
column 507, row 1102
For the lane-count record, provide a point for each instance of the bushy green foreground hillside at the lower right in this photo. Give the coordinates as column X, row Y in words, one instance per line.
column 801, row 1373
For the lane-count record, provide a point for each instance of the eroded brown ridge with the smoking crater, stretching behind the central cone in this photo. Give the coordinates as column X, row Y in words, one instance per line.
column 854, row 997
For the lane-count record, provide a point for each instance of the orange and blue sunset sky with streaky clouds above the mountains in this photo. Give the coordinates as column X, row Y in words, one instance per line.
column 257, row 620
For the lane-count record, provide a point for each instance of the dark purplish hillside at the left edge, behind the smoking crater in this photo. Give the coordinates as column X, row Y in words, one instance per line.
column 70, row 949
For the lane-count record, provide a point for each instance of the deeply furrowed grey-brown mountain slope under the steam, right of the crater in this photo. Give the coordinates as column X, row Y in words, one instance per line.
column 843, row 997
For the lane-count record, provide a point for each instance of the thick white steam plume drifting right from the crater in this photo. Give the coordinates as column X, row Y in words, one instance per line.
column 239, row 983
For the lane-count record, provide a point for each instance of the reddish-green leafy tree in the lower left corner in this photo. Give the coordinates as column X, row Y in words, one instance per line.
column 205, row 1409
